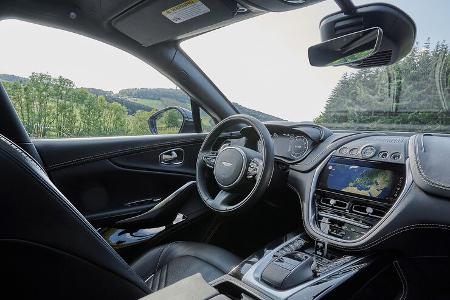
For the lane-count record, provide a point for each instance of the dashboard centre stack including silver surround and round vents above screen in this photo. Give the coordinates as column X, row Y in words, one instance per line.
column 356, row 188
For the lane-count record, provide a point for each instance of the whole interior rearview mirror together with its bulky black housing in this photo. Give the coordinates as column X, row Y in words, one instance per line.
column 365, row 36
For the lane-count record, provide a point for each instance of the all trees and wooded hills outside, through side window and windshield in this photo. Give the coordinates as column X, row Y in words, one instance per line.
column 412, row 95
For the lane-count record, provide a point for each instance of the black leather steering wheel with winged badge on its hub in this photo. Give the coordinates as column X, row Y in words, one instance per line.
column 242, row 174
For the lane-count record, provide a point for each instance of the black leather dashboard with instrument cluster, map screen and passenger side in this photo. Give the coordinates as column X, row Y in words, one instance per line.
column 364, row 189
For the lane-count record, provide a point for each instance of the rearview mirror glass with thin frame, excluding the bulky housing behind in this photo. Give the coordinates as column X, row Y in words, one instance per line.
column 347, row 49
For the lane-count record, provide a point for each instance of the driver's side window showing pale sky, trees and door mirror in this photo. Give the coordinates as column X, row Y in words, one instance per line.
column 68, row 85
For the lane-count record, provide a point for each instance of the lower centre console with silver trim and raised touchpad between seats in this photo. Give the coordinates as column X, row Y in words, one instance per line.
column 296, row 268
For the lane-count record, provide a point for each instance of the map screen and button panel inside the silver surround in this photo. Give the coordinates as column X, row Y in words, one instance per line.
column 353, row 195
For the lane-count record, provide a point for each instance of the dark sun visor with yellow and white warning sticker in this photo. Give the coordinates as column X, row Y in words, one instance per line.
column 155, row 21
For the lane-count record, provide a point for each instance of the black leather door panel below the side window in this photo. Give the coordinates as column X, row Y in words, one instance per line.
column 108, row 179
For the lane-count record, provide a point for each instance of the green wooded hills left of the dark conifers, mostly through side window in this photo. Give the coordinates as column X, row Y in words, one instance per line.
column 53, row 107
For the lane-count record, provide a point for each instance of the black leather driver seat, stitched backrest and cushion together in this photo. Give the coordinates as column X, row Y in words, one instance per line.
column 49, row 250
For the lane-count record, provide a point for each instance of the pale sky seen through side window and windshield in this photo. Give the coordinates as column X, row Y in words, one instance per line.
column 260, row 63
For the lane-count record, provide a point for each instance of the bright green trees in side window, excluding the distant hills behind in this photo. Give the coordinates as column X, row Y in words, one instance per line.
column 54, row 108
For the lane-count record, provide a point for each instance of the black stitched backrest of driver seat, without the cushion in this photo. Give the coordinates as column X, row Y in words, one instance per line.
column 48, row 249
